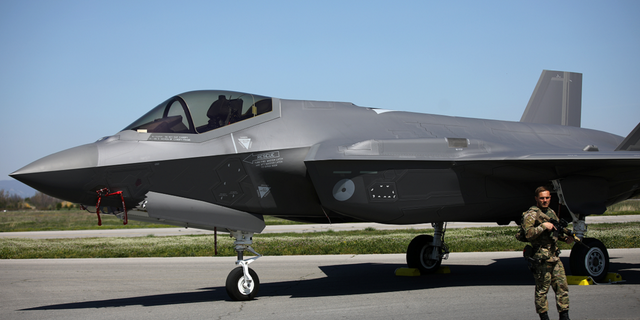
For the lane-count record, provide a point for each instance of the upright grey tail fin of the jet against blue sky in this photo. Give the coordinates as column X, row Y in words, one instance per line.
column 557, row 99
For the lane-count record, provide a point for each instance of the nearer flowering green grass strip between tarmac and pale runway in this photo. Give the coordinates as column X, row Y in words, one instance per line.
column 613, row 235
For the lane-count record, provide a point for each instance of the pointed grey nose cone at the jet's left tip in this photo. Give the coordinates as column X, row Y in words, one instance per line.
column 63, row 174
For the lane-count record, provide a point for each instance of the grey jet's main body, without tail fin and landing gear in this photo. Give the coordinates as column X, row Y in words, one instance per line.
column 330, row 161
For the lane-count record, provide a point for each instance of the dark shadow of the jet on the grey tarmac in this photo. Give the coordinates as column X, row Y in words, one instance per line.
column 353, row 279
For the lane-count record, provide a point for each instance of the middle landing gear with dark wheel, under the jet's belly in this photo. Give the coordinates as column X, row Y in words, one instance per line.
column 426, row 252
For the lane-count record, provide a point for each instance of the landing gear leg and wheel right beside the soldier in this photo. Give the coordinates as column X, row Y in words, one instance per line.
column 592, row 262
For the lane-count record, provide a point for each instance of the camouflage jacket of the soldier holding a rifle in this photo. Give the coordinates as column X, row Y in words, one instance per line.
column 545, row 245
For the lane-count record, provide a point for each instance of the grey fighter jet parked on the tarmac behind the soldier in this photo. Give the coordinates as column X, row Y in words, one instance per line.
column 221, row 160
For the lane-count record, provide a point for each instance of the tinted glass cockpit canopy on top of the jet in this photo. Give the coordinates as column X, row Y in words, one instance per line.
column 201, row 111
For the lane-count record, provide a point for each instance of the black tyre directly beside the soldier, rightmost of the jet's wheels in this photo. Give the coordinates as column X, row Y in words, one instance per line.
column 593, row 262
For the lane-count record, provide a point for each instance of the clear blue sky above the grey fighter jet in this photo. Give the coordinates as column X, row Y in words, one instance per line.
column 72, row 72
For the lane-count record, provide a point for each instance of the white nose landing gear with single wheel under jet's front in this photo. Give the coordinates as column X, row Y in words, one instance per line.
column 243, row 283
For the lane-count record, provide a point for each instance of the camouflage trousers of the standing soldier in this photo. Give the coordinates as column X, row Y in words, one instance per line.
column 551, row 274
